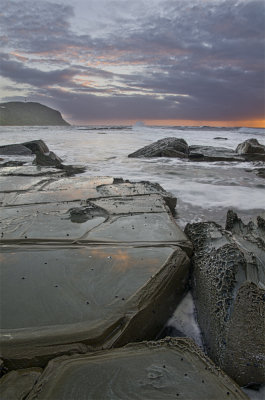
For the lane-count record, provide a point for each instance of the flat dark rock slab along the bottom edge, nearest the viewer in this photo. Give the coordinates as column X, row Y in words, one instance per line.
column 168, row 369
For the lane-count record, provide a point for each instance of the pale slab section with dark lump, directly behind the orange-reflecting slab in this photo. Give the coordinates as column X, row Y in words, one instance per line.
column 131, row 219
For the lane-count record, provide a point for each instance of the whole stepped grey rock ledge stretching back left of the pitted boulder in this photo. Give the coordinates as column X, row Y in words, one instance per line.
column 102, row 258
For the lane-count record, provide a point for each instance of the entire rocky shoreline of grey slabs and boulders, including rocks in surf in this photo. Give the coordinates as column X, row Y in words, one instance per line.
column 92, row 266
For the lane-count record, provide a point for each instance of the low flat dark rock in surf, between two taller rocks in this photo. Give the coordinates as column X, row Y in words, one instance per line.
column 210, row 153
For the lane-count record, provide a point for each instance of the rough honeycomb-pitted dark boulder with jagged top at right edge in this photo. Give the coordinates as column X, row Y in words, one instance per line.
column 228, row 287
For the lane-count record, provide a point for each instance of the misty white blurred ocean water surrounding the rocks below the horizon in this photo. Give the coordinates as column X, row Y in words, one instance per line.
column 204, row 190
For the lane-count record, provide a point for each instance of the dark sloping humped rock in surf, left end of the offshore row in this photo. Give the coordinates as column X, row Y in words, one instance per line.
column 168, row 147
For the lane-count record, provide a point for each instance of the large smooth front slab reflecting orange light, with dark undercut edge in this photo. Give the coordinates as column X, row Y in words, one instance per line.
column 96, row 295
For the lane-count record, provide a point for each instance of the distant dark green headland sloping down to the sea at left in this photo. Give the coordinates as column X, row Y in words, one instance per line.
column 19, row 113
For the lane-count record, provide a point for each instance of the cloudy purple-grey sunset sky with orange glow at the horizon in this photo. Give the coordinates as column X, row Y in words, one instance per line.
column 163, row 62
